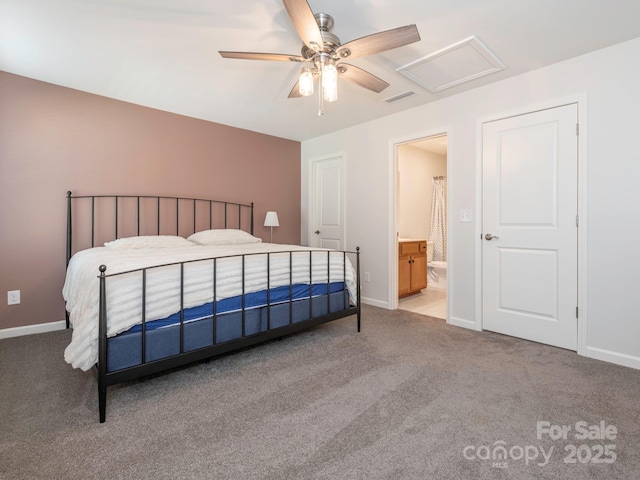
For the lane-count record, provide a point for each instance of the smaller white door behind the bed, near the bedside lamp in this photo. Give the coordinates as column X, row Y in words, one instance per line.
column 327, row 204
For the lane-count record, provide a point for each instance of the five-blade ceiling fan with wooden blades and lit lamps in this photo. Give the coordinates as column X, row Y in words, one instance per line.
column 323, row 54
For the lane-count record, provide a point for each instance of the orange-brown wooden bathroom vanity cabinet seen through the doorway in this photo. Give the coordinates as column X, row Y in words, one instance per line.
column 412, row 266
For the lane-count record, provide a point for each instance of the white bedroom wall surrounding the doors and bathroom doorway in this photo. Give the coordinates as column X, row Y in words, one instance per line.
column 609, row 80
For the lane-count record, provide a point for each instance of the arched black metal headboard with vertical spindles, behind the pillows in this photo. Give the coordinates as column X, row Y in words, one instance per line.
column 102, row 218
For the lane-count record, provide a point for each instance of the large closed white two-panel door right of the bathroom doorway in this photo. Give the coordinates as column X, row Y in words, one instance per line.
column 529, row 226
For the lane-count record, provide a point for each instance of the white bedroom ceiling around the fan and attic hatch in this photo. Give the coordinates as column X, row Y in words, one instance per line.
column 163, row 53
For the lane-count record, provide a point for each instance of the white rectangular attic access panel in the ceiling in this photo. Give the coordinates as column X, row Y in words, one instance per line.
column 461, row 62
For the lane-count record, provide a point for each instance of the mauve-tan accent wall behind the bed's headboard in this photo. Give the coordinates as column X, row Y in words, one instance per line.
column 54, row 139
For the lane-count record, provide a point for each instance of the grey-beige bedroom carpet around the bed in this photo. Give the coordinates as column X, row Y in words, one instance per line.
column 407, row 398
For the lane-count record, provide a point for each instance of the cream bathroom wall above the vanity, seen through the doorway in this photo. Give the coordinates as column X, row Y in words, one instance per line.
column 416, row 169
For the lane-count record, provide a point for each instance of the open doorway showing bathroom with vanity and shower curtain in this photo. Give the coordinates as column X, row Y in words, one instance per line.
column 421, row 215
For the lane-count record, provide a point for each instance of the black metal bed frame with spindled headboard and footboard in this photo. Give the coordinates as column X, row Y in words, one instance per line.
column 106, row 378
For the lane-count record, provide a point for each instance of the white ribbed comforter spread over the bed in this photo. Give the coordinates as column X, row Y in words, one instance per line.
column 124, row 292
